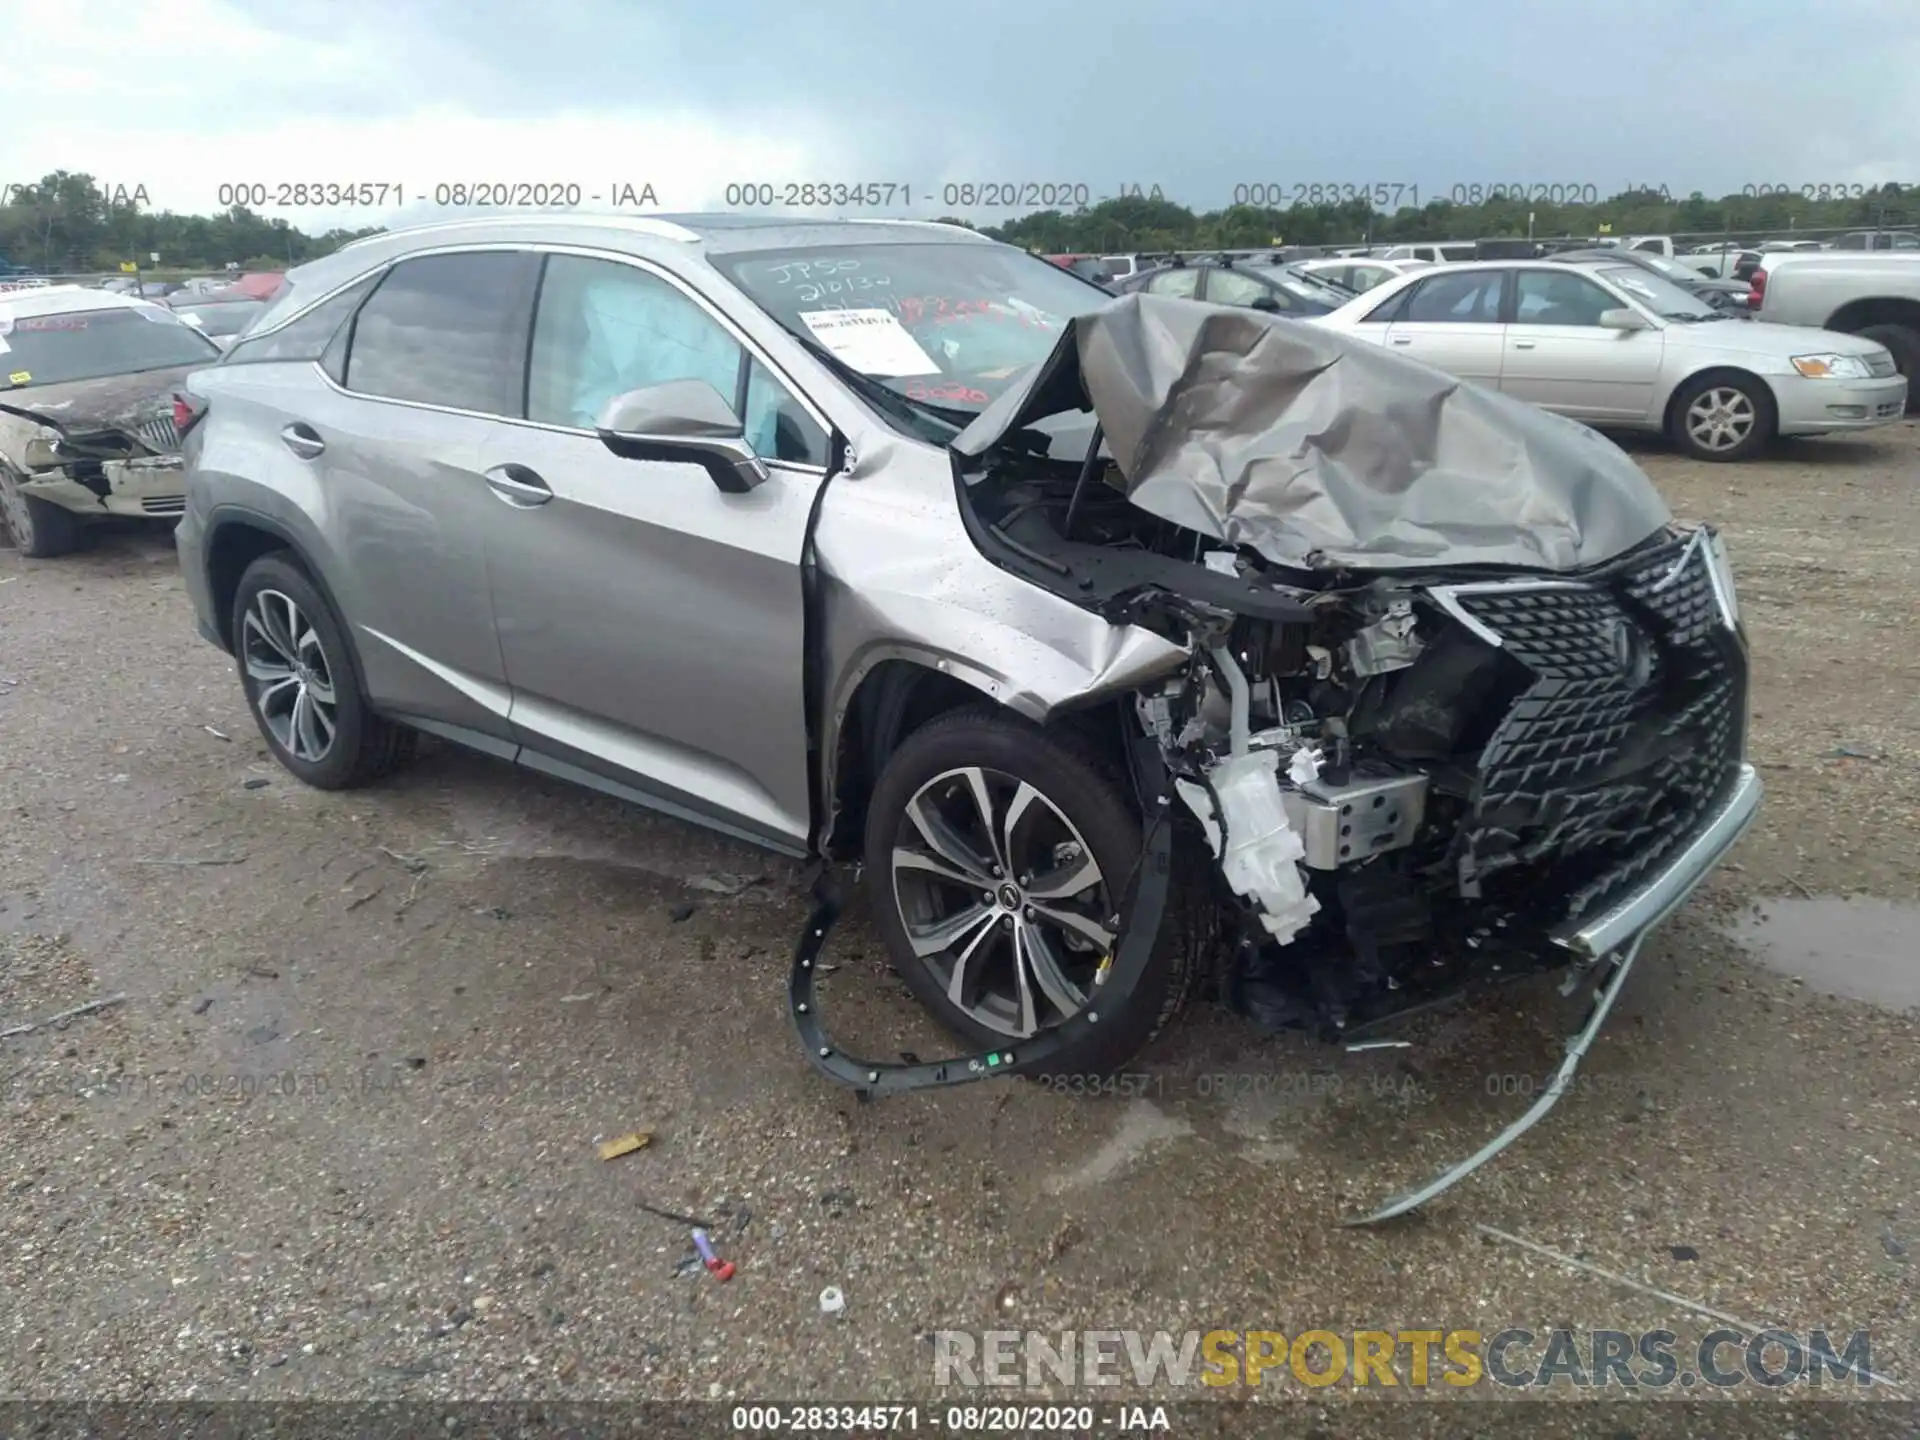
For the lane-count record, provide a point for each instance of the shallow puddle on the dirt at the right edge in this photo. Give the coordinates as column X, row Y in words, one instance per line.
column 1861, row 949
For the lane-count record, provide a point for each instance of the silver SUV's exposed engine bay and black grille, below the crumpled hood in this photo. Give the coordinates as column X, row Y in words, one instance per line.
column 1416, row 780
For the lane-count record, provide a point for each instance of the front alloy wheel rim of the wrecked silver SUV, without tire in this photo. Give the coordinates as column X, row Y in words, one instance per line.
column 1001, row 900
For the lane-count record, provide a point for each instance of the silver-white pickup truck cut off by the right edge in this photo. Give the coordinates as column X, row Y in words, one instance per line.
column 1873, row 295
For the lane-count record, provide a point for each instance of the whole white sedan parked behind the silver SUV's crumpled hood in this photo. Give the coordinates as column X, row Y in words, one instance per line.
column 1620, row 347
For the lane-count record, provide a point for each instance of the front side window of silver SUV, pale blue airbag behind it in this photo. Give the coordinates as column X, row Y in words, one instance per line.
column 604, row 329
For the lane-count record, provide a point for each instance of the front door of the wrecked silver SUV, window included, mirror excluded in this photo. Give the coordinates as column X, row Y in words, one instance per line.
column 652, row 627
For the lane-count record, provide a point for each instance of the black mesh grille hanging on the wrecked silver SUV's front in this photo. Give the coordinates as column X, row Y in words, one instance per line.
column 1600, row 769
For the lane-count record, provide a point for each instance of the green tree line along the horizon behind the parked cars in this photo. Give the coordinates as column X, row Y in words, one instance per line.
column 74, row 224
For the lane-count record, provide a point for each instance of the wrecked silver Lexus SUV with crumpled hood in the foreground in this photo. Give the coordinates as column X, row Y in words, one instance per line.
column 878, row 540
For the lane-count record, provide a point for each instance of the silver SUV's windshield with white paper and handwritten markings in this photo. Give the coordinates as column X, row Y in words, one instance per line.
column 948, row 325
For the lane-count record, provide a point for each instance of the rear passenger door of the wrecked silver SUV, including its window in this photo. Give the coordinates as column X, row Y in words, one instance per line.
column 393, row 450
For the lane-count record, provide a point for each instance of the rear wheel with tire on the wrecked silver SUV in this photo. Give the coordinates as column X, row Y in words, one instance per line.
column 310, row 711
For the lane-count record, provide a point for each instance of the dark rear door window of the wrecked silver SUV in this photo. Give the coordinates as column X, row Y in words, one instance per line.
column 448, row 331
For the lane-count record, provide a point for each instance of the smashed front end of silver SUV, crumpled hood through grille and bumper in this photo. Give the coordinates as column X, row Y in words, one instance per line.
column 1462, row 700
